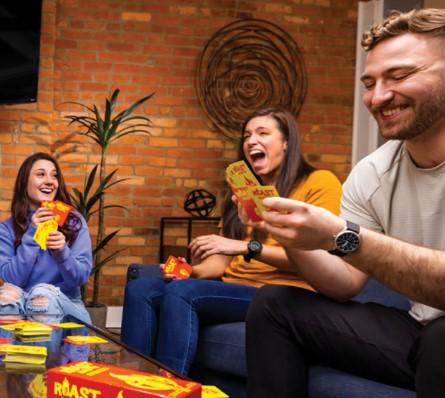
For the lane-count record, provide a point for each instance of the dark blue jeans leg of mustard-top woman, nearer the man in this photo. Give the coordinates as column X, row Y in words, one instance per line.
column 189, row 303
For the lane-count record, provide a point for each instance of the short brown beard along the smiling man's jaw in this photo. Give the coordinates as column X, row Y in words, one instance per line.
column 427, row 115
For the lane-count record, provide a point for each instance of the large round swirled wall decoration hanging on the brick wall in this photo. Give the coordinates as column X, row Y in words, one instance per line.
column 247, row 65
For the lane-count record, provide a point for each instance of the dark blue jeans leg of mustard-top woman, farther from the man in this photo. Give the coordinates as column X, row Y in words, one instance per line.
column 139, row 320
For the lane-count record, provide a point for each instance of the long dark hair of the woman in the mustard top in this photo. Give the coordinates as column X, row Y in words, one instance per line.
column 293, row 168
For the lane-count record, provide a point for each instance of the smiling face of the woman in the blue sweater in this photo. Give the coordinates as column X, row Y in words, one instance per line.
column 42, row 183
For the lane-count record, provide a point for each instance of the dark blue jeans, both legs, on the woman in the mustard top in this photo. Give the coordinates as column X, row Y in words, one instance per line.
column 163, row 318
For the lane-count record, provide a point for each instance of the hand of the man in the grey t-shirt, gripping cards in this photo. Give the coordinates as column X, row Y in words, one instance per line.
column 300, row 225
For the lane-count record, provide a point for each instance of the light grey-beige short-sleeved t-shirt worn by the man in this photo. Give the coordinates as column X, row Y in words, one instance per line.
column 386, row 192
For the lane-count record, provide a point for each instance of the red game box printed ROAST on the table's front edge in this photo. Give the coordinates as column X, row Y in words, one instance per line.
column 103, row 380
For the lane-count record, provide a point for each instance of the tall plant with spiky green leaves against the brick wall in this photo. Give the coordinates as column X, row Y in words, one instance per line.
column 104, row 130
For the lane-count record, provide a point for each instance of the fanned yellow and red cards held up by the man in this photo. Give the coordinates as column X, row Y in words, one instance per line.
column 247, row 189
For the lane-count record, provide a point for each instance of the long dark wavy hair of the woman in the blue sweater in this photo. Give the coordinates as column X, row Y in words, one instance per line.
column 21, row 202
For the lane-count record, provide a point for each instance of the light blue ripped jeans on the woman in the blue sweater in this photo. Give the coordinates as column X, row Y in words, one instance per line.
column 44, row 303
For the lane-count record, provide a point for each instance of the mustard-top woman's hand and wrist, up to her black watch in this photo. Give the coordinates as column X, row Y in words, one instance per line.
column 208, row 245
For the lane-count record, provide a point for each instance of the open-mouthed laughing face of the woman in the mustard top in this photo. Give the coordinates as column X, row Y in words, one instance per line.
column 264, row 146
